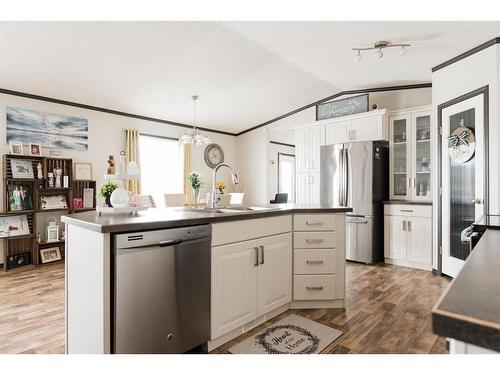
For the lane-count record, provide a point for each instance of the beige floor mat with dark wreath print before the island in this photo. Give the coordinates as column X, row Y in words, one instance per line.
column 292, row 335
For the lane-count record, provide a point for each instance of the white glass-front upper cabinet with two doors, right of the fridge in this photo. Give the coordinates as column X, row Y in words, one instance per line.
column 410, row 151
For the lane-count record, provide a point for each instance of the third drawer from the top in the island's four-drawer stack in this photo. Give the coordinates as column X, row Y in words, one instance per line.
column 313, row 261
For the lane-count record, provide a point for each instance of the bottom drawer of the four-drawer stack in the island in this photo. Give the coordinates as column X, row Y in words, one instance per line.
column 313, row 287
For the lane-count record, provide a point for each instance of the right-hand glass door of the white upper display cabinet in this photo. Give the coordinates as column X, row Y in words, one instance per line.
column 421, row 156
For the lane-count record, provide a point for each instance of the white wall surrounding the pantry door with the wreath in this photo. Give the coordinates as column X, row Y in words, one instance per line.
column 471, row 73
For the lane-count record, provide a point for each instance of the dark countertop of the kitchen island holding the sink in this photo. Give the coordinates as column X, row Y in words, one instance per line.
column 161, row 218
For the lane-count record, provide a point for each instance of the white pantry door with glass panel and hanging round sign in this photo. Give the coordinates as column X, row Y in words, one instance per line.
column 462, row 183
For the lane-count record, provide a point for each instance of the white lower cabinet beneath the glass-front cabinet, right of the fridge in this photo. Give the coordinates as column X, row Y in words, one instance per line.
column 408, row 235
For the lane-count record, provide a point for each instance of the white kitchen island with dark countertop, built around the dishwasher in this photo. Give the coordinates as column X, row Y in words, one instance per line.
column 263, row 261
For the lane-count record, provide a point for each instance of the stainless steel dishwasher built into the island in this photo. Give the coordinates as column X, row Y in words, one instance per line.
column 162, row 290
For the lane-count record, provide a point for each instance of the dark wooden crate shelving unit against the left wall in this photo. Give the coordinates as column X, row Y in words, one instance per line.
column 28, row 244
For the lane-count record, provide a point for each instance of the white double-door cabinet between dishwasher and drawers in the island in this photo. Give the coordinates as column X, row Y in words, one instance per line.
column 249, row 279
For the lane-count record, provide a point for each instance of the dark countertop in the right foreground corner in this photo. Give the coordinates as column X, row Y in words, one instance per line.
column 469, row 310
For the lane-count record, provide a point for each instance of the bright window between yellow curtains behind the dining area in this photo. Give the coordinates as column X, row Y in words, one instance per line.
column 162, row 166
